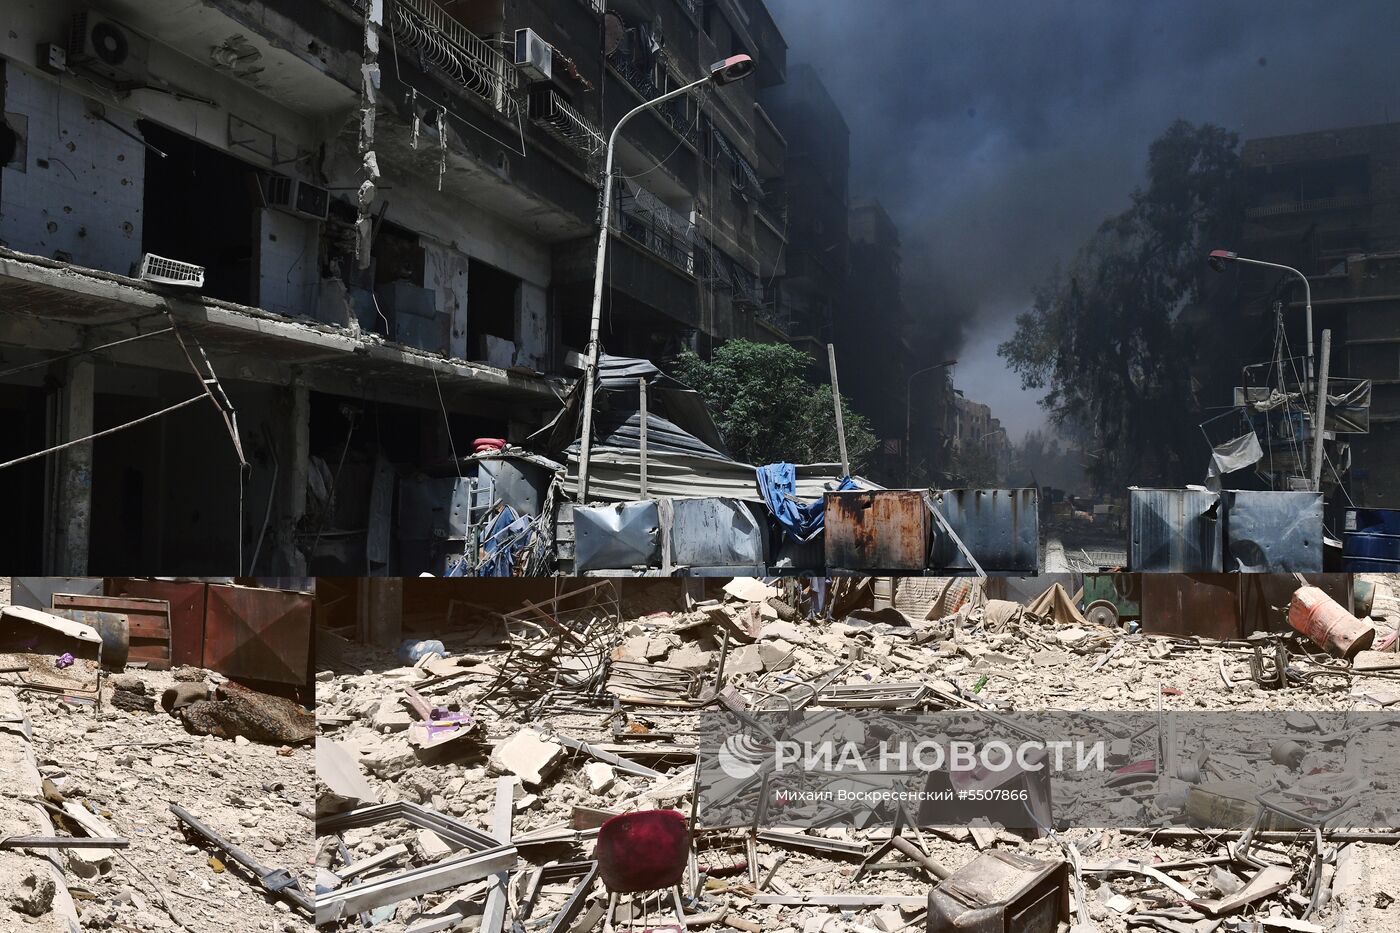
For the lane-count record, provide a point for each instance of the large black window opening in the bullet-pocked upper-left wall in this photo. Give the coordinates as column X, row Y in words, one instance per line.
column 202, row 207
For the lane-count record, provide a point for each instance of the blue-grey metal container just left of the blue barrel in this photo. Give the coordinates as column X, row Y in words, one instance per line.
column 1273, row 532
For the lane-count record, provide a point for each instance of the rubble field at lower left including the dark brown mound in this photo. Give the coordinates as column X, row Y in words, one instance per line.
column 118, row 766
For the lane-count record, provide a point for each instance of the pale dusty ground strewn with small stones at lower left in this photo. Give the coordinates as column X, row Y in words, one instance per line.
column 129, row 767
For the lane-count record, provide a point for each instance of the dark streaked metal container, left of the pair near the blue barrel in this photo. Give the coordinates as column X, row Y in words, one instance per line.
column 1174, row 532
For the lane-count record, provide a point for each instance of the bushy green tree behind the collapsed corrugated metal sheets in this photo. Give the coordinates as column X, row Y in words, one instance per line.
column 768, row 410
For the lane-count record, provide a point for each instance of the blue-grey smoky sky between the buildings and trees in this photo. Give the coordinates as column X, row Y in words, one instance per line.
column 999, row 135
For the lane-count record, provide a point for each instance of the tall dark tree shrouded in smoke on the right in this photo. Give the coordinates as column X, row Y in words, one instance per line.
column 1104, row 338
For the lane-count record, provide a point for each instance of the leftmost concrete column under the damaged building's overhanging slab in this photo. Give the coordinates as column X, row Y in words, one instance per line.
column 72, row 519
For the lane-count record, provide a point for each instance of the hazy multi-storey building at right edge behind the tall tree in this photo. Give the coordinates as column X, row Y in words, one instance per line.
column 1329, row 205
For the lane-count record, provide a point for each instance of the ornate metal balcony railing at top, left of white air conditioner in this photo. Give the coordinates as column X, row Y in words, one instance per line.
column 451, row 47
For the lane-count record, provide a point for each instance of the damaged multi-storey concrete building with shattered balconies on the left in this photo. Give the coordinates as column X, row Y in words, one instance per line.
column 390, row 211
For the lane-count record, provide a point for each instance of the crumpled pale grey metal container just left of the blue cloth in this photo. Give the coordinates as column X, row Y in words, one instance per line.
column 713, row 534
